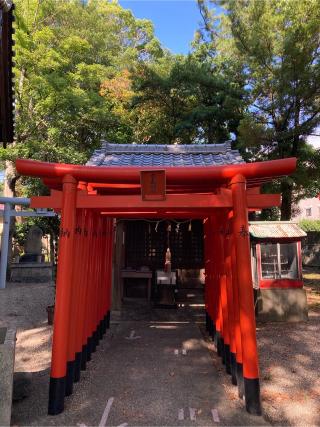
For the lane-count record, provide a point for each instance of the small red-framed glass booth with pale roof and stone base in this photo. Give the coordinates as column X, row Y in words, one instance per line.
column 277, row 270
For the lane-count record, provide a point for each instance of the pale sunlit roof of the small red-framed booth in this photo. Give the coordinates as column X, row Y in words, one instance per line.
column 275, row 230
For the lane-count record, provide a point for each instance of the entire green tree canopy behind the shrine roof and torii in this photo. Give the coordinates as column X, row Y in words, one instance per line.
column 89, row 70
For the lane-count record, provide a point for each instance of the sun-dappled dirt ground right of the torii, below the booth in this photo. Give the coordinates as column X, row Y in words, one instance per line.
column 289, row 355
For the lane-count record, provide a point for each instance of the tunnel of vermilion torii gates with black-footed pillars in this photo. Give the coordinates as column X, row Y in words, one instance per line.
column 89, row 198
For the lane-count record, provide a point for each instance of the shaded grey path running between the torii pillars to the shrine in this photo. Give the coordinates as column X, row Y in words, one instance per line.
column 148, row 382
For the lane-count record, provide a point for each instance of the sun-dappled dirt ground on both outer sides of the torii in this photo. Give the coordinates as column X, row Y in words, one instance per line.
column 289, row 354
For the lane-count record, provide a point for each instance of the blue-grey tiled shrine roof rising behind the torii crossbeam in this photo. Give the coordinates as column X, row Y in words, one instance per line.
column 165, row 155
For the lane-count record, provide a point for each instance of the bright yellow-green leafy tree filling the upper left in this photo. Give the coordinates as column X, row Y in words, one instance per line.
column 64, row 52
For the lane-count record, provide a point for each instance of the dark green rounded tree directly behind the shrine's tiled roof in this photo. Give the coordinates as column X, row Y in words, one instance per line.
column 180, row 99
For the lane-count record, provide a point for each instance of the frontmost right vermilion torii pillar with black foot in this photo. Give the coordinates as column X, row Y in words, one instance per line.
column 246, row 301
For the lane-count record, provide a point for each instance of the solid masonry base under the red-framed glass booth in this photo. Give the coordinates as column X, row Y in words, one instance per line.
column 287, row 305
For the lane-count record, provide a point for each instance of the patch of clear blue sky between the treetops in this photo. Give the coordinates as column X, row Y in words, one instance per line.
column 175, row 21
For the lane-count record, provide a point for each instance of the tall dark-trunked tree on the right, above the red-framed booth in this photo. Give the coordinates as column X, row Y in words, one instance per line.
column 276, row 45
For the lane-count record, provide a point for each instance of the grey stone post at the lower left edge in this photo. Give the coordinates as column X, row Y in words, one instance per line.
column 7, row 352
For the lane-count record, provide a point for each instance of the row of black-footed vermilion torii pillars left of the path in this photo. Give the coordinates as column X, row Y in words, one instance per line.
column 83, row 287
